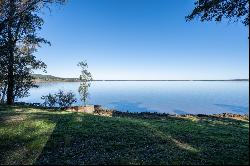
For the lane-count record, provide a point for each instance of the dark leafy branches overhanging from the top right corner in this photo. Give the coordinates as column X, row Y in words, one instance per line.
column 208, row 10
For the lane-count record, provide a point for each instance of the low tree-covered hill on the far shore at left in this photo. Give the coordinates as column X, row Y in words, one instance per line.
column 50, row 78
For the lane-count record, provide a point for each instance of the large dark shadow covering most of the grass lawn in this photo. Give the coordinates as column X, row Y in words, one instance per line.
column 87, row 139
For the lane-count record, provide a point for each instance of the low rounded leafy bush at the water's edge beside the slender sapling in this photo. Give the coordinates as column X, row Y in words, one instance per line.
column 61, row 99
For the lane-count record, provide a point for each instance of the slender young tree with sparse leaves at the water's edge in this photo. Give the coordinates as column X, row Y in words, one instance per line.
column 86, row 79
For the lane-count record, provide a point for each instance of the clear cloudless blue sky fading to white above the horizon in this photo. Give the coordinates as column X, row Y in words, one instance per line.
column 141, row 39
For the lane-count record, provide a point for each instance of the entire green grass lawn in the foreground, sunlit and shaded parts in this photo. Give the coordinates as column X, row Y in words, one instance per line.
column 34, row 136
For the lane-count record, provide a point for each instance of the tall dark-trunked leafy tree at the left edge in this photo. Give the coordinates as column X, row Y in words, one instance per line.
column 19, row 23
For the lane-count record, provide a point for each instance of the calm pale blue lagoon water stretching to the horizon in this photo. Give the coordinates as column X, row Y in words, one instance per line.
column 175, row 97
